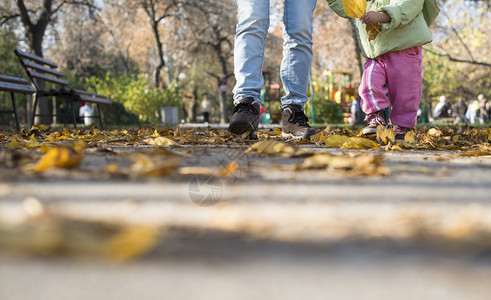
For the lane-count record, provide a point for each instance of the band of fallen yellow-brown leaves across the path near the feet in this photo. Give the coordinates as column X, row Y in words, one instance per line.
column 148, row 152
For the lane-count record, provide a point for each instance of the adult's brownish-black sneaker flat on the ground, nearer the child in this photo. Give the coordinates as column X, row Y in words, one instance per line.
column 294, row 123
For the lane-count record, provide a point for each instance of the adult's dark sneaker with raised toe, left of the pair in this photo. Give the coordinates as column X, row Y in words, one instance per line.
column 245, row 118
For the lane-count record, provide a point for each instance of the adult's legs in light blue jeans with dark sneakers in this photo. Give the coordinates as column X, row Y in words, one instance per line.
column 252, row 29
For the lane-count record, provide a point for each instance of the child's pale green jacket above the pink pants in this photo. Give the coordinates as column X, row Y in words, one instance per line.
column 406, row 29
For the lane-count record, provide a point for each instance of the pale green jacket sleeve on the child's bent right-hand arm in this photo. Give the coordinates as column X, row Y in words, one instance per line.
column 401, row 12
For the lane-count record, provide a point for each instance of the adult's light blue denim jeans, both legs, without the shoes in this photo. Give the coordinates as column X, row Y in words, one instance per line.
column 250, row 39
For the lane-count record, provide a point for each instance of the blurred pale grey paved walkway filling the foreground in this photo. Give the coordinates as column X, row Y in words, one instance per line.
column 271, row 231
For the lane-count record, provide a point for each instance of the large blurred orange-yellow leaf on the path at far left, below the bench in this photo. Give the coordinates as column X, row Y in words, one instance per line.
column 58, row 157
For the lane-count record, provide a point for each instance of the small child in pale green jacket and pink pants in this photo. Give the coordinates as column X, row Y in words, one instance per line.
column 394, row 59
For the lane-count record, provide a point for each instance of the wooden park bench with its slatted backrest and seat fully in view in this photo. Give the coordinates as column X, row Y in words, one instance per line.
column 41, row 72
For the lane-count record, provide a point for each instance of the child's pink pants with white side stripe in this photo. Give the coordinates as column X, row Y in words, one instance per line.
column 399, row 75
